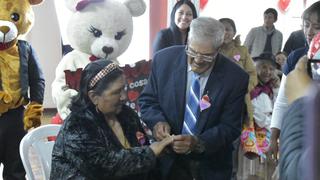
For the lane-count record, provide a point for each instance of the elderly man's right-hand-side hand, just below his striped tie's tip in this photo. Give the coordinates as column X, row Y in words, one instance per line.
column 184, row 144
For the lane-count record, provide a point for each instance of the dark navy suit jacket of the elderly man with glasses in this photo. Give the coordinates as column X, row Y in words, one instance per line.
column 163, row 99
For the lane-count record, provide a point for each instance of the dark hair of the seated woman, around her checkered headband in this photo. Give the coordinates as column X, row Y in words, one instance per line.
column 81, row 100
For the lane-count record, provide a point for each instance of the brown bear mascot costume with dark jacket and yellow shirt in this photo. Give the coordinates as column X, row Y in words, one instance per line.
column 21, row 84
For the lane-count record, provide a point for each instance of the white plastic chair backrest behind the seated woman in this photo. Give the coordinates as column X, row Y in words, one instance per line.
column 38, row 140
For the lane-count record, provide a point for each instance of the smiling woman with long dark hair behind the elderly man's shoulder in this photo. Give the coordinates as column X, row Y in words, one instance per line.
column 181, row 16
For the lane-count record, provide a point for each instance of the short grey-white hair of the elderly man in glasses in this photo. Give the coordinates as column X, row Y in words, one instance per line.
column 204, row 29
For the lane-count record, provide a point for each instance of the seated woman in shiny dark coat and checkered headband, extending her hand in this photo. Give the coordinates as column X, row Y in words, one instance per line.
column 102, row 138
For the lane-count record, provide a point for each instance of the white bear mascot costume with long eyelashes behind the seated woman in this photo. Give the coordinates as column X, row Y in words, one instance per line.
column 97, row 29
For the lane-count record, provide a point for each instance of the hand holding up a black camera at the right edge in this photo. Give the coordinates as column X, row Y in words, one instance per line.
column 298, row 81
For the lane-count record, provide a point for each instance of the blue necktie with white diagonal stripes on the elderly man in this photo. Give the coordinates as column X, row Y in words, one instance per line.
column 192, row 110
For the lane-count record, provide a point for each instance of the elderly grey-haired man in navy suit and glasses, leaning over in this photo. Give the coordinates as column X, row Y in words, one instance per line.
column 197, row 94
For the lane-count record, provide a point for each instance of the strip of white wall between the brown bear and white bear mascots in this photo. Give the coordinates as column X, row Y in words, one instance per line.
column 46, row 40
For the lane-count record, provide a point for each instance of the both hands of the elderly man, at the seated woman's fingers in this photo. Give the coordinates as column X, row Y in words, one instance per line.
column 181, row 144
